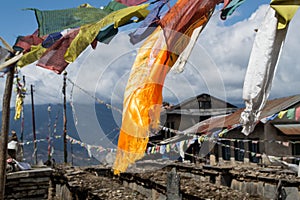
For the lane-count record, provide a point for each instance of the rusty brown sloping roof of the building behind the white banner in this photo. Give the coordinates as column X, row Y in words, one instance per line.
column 272, row 107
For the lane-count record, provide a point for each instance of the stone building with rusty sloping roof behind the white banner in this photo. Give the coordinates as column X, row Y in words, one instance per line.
column 277, row 133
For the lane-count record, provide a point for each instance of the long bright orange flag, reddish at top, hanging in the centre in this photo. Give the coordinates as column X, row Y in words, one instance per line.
column 143, row 93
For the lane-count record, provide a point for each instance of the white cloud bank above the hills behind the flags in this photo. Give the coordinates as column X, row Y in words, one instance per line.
column 217, row 66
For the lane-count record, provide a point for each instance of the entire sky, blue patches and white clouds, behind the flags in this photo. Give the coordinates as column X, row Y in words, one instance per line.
column 225, row 44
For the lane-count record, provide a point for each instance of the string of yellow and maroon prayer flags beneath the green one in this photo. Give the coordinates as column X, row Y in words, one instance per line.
column 73, row 41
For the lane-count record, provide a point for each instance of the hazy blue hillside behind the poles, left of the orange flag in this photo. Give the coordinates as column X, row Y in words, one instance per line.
column 80, row 154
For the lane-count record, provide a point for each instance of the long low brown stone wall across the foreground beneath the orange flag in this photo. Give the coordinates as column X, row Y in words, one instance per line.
column 196, row 182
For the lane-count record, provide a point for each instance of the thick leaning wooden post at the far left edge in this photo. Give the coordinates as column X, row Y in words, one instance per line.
column 5, row 128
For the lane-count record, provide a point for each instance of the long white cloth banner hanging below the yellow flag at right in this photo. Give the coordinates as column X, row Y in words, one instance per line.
column 261, row 69
